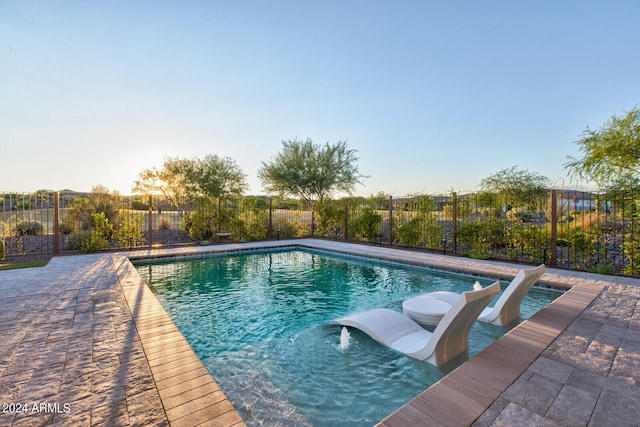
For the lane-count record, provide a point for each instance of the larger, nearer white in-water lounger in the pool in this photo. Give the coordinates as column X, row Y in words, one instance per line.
column 448, row 340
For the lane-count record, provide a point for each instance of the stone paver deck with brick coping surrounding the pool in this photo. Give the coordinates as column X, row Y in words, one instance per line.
column 85, row 342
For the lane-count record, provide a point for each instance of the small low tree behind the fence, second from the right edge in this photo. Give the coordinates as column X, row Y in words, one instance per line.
column 519, row 186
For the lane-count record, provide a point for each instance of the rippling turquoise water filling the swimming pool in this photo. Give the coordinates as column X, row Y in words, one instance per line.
column 263, row 324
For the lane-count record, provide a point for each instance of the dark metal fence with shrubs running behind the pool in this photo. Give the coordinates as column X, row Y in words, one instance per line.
column 592, row 231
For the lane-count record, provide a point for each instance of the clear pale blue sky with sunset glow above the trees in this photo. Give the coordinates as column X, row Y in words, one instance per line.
column 434, row 95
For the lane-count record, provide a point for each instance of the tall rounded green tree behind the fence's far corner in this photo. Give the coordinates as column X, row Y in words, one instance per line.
column 311, row 171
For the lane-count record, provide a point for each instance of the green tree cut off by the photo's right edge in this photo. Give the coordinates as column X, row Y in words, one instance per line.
column 611, row 154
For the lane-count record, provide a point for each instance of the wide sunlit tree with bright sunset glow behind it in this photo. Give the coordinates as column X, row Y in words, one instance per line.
column 181, row 181
